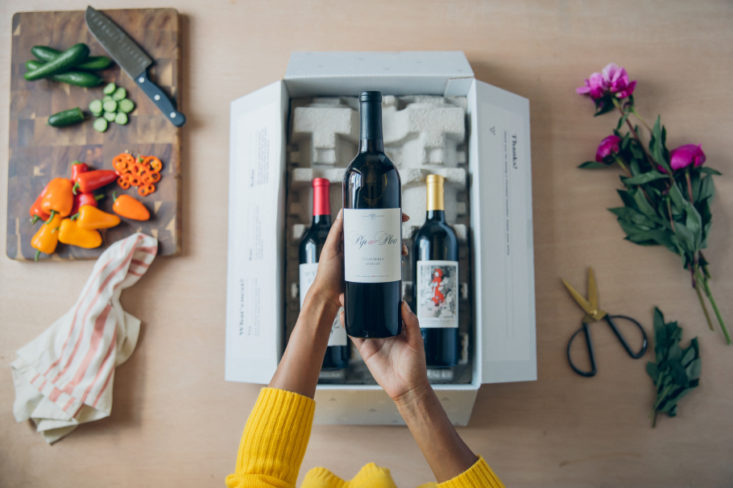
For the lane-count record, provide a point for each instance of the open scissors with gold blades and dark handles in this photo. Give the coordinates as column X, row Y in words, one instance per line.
column 595, row 314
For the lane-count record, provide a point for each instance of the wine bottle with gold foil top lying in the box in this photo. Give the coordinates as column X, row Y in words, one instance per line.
column 435, row 272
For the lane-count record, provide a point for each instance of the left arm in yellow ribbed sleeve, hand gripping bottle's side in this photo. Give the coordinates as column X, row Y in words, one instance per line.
column 276, row 434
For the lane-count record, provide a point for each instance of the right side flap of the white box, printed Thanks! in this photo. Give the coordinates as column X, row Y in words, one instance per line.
column 499, row 162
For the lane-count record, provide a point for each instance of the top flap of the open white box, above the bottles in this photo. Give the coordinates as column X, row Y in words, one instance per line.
column 394, row 73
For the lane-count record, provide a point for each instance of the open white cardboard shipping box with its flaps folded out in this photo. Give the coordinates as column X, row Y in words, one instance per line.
column 503, row 343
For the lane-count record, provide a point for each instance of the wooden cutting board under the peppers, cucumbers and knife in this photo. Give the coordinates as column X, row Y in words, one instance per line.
column 39, row 152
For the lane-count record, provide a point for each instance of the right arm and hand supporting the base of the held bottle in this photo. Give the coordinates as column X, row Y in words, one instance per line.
column 398, row 365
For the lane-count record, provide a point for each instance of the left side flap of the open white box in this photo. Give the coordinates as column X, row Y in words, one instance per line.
column 256, row 212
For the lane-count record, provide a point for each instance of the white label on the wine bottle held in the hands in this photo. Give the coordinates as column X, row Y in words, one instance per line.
column 372, row 245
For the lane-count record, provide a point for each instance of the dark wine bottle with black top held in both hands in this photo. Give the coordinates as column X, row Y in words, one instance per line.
column 372, row 232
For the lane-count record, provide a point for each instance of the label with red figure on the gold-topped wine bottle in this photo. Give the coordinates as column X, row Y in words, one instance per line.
column 437, row 293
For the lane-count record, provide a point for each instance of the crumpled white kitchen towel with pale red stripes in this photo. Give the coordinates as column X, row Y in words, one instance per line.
column 64, row 376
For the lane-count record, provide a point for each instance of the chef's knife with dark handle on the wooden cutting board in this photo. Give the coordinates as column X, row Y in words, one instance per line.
column 128, row 54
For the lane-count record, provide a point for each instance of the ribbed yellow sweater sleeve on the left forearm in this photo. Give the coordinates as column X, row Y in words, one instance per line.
column 274, row 441
